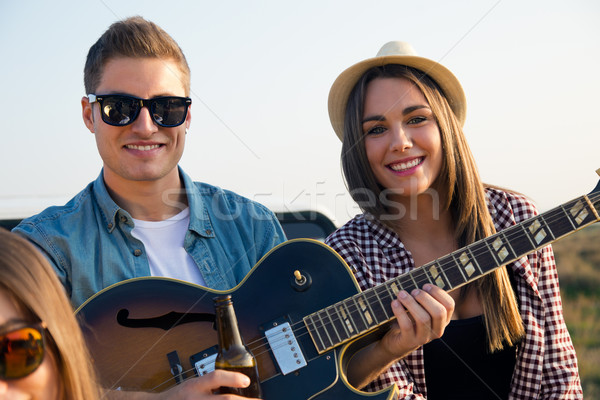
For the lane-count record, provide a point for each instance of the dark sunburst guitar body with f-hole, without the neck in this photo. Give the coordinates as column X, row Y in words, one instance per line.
column 132, row 326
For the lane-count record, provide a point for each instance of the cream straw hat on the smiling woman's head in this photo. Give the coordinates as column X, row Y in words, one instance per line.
column 394, row 53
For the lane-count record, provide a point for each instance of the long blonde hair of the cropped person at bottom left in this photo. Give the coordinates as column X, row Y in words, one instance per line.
column 31, row 283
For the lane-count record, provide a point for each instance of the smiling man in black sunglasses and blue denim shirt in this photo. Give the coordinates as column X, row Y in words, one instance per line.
column 143, row 215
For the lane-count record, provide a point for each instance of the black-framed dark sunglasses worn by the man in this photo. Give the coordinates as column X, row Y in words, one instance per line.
column 121, row 110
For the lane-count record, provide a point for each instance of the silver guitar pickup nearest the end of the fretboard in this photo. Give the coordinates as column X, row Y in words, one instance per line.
column 285, row 348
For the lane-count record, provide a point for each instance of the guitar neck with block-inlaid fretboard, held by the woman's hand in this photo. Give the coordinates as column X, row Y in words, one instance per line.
column 366, row 311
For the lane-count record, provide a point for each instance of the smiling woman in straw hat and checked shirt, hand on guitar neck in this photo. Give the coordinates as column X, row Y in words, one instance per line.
column 407, row 164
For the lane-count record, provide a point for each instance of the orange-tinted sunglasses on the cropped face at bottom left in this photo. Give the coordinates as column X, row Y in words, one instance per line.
column 21, row 350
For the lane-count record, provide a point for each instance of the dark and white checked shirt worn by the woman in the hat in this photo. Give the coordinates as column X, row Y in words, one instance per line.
column 546, row 365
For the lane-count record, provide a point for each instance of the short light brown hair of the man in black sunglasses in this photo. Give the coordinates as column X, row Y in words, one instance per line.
column 133, row 37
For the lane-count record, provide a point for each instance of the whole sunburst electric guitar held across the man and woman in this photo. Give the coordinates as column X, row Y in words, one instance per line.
column 300, row 311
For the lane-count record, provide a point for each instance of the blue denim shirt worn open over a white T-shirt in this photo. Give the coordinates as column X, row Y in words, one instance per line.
column 89, row 243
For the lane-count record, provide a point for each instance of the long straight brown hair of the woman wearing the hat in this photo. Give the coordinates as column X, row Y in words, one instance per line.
column 463, row 193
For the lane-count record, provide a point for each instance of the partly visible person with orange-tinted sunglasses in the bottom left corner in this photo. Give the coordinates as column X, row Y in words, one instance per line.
column 42, row 352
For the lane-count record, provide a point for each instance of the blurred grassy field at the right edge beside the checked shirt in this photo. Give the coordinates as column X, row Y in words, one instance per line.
column 578, row 260
